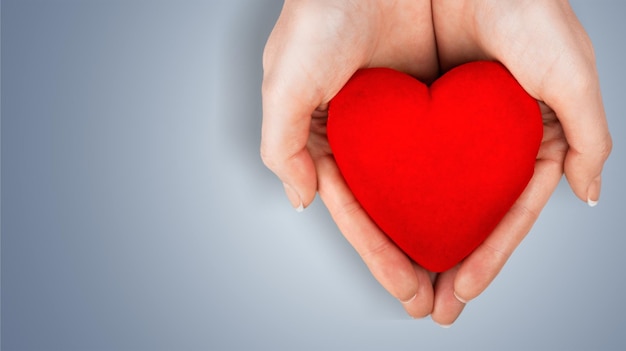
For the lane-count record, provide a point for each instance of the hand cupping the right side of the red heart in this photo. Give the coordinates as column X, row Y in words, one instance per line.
column 547, row 50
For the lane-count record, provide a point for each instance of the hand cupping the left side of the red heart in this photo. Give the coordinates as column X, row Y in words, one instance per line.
column 314, row 49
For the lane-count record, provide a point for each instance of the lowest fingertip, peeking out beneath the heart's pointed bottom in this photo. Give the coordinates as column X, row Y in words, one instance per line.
column 447, row 307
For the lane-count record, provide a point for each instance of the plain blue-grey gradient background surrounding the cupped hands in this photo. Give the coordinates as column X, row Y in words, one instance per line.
column 137, row 215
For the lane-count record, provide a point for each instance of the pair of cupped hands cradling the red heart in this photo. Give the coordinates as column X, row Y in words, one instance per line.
column 317, row 45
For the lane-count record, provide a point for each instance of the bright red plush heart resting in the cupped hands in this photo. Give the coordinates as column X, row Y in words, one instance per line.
column 436, row 167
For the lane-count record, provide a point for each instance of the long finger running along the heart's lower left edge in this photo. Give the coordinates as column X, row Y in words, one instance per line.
column 389, row 265
